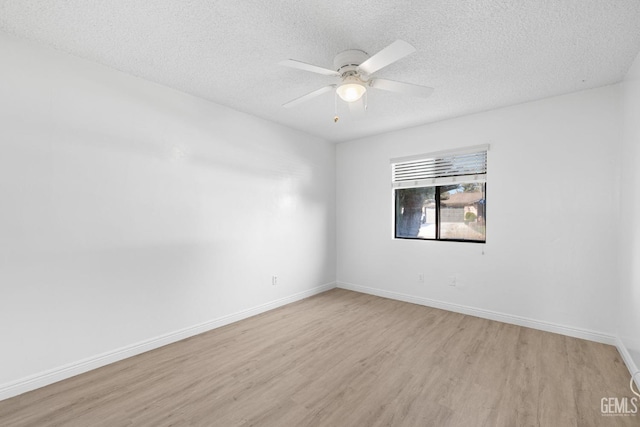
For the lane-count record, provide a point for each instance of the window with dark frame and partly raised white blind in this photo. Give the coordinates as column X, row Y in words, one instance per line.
column 441, row 196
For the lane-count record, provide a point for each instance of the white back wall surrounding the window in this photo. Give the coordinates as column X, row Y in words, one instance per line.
column 550, row 255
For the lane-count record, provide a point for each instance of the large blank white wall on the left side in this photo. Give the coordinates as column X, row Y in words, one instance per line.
column 129, row 211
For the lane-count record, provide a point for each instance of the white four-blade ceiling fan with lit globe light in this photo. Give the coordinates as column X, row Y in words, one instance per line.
column 354, row 69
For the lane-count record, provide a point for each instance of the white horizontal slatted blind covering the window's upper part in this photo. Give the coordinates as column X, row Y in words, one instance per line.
column 446, row 167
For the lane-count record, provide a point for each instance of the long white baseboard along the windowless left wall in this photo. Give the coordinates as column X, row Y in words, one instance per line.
column 67, row 371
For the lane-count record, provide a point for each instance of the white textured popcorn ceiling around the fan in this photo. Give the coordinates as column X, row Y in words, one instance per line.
column 478, row 55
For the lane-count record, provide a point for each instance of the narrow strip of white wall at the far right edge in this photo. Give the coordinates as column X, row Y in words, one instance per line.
column 629, row 309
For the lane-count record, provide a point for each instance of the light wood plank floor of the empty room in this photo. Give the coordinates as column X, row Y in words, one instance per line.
column 344, row 359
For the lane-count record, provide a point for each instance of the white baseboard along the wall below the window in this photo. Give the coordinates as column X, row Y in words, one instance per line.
column 486, row 314
